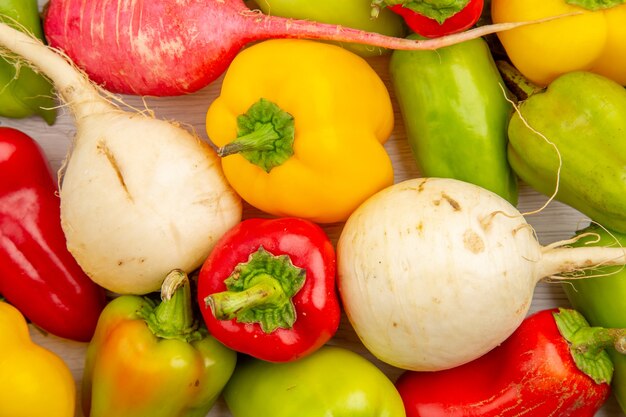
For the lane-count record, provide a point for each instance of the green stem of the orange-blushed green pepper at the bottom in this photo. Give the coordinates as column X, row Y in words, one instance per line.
column 173, row 317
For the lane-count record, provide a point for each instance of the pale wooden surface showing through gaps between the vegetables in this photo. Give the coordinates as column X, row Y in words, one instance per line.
column 553, row 223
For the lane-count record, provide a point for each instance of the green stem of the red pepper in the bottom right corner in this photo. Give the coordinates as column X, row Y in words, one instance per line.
column 588, row 344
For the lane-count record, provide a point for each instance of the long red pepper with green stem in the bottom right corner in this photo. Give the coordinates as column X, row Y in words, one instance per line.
column 554, row 364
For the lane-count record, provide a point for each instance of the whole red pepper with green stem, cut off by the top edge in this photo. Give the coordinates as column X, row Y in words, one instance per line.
column 433, row 22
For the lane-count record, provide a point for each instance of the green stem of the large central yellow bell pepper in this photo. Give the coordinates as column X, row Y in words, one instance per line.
column 265, row 136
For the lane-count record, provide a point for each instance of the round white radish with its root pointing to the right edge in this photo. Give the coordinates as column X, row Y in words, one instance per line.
column 434, row 273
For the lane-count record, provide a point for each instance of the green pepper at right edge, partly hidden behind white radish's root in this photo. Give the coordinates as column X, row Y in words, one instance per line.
column 601, row 299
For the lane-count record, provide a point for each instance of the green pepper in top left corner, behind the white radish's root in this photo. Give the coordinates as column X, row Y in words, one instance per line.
column 23, row 91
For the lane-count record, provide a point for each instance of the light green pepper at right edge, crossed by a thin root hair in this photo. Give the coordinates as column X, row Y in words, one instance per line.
column 583, row 116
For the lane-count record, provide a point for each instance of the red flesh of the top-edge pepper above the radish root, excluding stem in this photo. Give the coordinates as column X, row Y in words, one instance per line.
column 430, row 28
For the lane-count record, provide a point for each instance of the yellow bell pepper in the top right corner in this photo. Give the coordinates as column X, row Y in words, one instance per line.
column 592, row 41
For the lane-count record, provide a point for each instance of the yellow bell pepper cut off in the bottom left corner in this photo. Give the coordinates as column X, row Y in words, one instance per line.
column 33, row 380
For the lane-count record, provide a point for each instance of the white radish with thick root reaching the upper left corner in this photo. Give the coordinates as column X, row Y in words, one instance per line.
column 139, row 196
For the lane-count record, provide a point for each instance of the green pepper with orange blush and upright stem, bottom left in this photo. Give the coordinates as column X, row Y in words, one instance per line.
column 154, row 360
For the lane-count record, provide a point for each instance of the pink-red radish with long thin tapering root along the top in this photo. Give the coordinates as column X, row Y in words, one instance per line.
column 172, row 47
